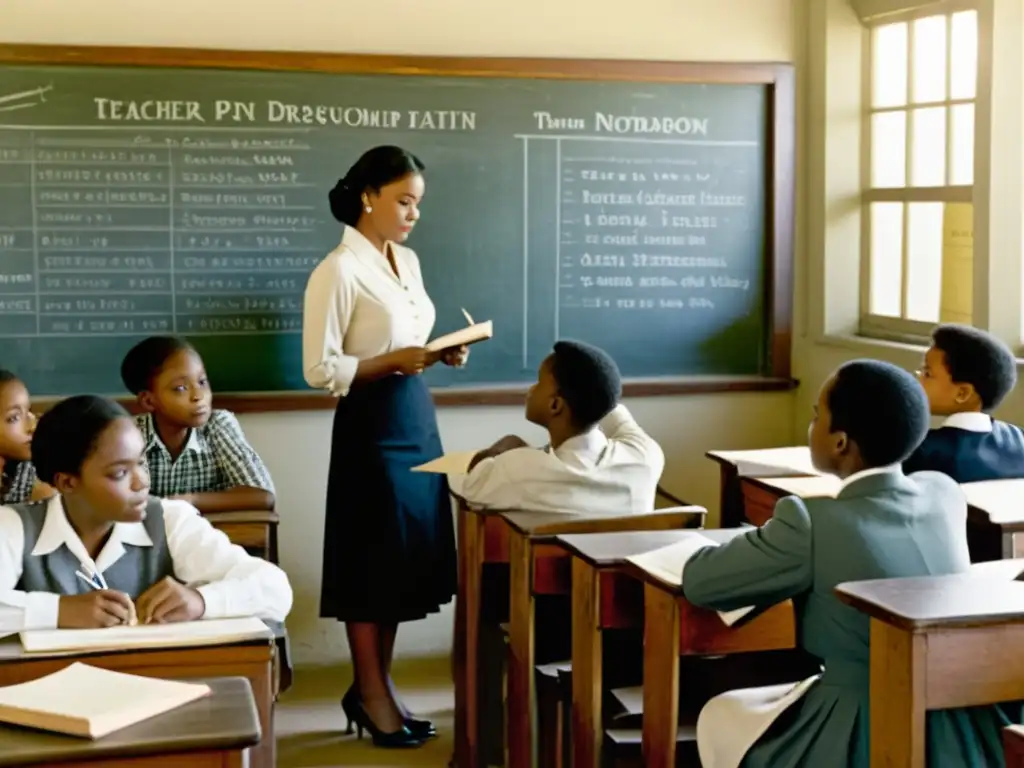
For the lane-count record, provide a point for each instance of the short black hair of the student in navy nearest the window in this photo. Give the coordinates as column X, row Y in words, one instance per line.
column 978, row 359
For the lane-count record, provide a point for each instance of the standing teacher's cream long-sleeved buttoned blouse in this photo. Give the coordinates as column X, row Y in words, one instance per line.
column 357, row 308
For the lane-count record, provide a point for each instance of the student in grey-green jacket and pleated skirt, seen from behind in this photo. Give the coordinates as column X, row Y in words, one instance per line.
column 883, row 525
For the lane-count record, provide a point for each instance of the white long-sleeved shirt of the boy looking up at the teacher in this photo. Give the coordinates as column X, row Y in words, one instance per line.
column 612, row 470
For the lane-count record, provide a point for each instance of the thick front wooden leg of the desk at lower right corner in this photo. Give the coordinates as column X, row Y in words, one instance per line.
column 898, row 684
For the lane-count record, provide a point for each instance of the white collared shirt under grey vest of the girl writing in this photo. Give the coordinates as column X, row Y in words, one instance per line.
column 233, row 583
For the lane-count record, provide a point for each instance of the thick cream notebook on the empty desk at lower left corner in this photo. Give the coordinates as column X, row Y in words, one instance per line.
column 84, row 701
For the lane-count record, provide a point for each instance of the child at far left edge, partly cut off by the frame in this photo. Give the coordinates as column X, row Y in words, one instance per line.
column 18, row 476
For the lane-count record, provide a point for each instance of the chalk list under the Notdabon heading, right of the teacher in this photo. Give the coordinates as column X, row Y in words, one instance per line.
column 650, row 228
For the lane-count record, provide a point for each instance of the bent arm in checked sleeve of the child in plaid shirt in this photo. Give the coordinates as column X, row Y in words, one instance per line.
column 250, row 485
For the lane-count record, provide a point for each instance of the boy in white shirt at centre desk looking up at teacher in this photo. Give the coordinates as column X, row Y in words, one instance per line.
column 600, row 460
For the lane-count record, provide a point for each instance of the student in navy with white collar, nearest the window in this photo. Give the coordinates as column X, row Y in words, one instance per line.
column 967, row 374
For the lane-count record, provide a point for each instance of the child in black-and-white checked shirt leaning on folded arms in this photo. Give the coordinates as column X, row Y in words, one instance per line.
column 194, row 452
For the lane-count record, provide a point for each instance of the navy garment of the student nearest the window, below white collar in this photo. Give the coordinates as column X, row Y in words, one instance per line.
column 971, row 457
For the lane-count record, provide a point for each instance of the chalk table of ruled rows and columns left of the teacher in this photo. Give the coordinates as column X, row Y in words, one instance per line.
column 123, row 234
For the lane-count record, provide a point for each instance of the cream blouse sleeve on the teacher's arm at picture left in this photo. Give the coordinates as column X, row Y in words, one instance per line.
column 327, row 312
